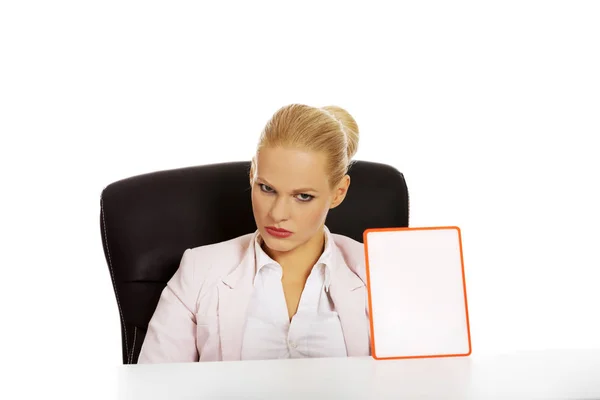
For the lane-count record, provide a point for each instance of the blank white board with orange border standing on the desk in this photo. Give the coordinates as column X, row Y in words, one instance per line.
column 417, row 293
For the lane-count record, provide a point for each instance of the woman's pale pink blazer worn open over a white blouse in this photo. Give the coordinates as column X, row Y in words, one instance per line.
column 202, row 311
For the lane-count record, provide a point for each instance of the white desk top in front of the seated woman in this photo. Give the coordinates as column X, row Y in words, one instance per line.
column 531, row 375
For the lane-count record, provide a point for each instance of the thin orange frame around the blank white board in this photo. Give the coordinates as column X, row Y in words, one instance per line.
column 373, row 348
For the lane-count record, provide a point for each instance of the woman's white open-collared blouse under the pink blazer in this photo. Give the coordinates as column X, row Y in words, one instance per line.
column 315, row 329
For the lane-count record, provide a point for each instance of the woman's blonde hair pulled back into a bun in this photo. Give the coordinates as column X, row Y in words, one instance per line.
column 330, row 130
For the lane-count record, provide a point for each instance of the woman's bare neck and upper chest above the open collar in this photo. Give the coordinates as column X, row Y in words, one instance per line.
column 298, row 263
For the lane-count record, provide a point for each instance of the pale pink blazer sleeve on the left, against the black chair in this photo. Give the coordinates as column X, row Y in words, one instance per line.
column 171, row 335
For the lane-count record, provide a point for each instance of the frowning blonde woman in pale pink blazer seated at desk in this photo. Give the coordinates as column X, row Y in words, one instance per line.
column 292, row 288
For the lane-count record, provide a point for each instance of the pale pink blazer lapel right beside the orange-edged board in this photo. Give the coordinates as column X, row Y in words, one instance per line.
column 349, row 294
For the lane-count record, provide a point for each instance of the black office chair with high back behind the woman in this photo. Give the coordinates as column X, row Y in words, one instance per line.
column 148, row 221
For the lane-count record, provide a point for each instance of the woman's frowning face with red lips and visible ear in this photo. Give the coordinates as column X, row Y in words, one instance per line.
column 291, row 196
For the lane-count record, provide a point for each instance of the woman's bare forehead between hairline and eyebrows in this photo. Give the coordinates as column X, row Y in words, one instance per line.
column 289, row 169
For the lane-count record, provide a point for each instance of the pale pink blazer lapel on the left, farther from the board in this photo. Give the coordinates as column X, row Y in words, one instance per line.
column 235, row 293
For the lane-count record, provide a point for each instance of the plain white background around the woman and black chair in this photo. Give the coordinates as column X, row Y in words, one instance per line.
column 492, row 111
